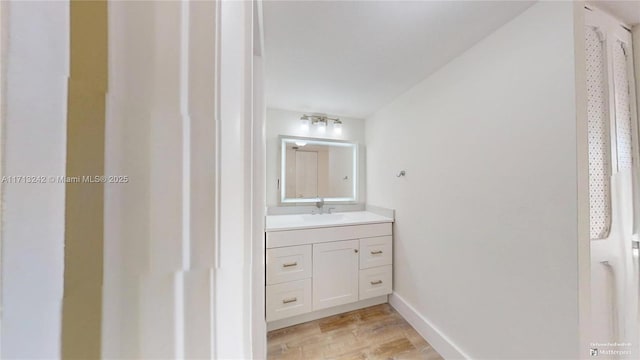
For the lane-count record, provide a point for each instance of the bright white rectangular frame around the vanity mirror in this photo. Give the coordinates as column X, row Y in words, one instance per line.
column 284, row 139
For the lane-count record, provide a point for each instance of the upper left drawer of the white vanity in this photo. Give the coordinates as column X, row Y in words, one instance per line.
column 288, row 264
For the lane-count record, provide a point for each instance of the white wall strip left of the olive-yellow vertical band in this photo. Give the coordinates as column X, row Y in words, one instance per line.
column 37, row 67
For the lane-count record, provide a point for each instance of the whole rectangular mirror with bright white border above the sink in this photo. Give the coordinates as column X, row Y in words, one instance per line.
column 317, row 168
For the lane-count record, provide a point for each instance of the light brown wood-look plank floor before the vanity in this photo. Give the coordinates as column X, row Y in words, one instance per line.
column 377, row 332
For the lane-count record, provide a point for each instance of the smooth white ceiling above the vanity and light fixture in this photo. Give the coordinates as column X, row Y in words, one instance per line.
column 349, row 58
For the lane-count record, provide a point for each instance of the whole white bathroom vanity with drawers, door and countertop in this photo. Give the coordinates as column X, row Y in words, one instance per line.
column 321, row 265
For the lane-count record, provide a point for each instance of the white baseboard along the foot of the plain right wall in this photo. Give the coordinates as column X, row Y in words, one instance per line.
column 440, row 342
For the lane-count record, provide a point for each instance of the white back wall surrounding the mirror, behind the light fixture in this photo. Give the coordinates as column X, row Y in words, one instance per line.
column 287, row 122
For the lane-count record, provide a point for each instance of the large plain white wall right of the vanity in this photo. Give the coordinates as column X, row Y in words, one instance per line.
column 486, row 237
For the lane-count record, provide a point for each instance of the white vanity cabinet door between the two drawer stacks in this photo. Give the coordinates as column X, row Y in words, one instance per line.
column 335, row 273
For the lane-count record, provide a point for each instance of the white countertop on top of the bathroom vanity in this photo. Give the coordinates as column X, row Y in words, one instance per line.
column 308, row 221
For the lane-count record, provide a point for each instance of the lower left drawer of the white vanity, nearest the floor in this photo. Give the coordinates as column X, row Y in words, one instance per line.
column 288, row 299
